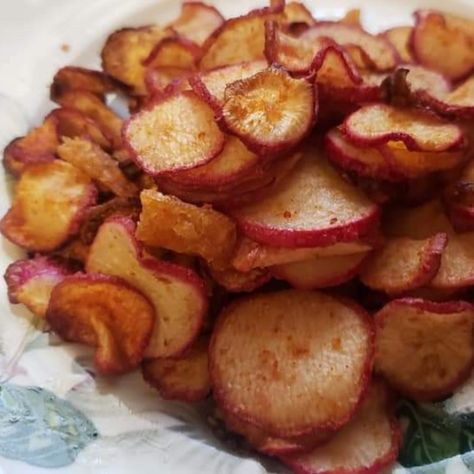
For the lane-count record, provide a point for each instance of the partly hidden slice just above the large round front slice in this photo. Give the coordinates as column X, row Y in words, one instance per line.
column 319, row 272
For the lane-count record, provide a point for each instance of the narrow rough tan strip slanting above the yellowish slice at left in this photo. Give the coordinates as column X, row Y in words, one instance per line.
column 97, row 164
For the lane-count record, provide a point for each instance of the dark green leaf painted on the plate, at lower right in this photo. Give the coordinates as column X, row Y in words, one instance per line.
column 432, row 435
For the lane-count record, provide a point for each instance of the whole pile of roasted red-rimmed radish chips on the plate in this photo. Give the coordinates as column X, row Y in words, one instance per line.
column 284, row 223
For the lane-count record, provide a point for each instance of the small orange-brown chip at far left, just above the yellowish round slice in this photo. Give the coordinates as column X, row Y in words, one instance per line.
column 38, row 146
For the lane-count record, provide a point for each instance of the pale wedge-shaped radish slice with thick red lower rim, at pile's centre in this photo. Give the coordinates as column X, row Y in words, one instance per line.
column 312, row 207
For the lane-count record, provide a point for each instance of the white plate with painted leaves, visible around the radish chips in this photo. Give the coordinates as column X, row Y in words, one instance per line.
column 53, row 412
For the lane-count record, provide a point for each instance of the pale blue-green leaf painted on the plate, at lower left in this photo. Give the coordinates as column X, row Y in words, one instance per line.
column 41, row 429
